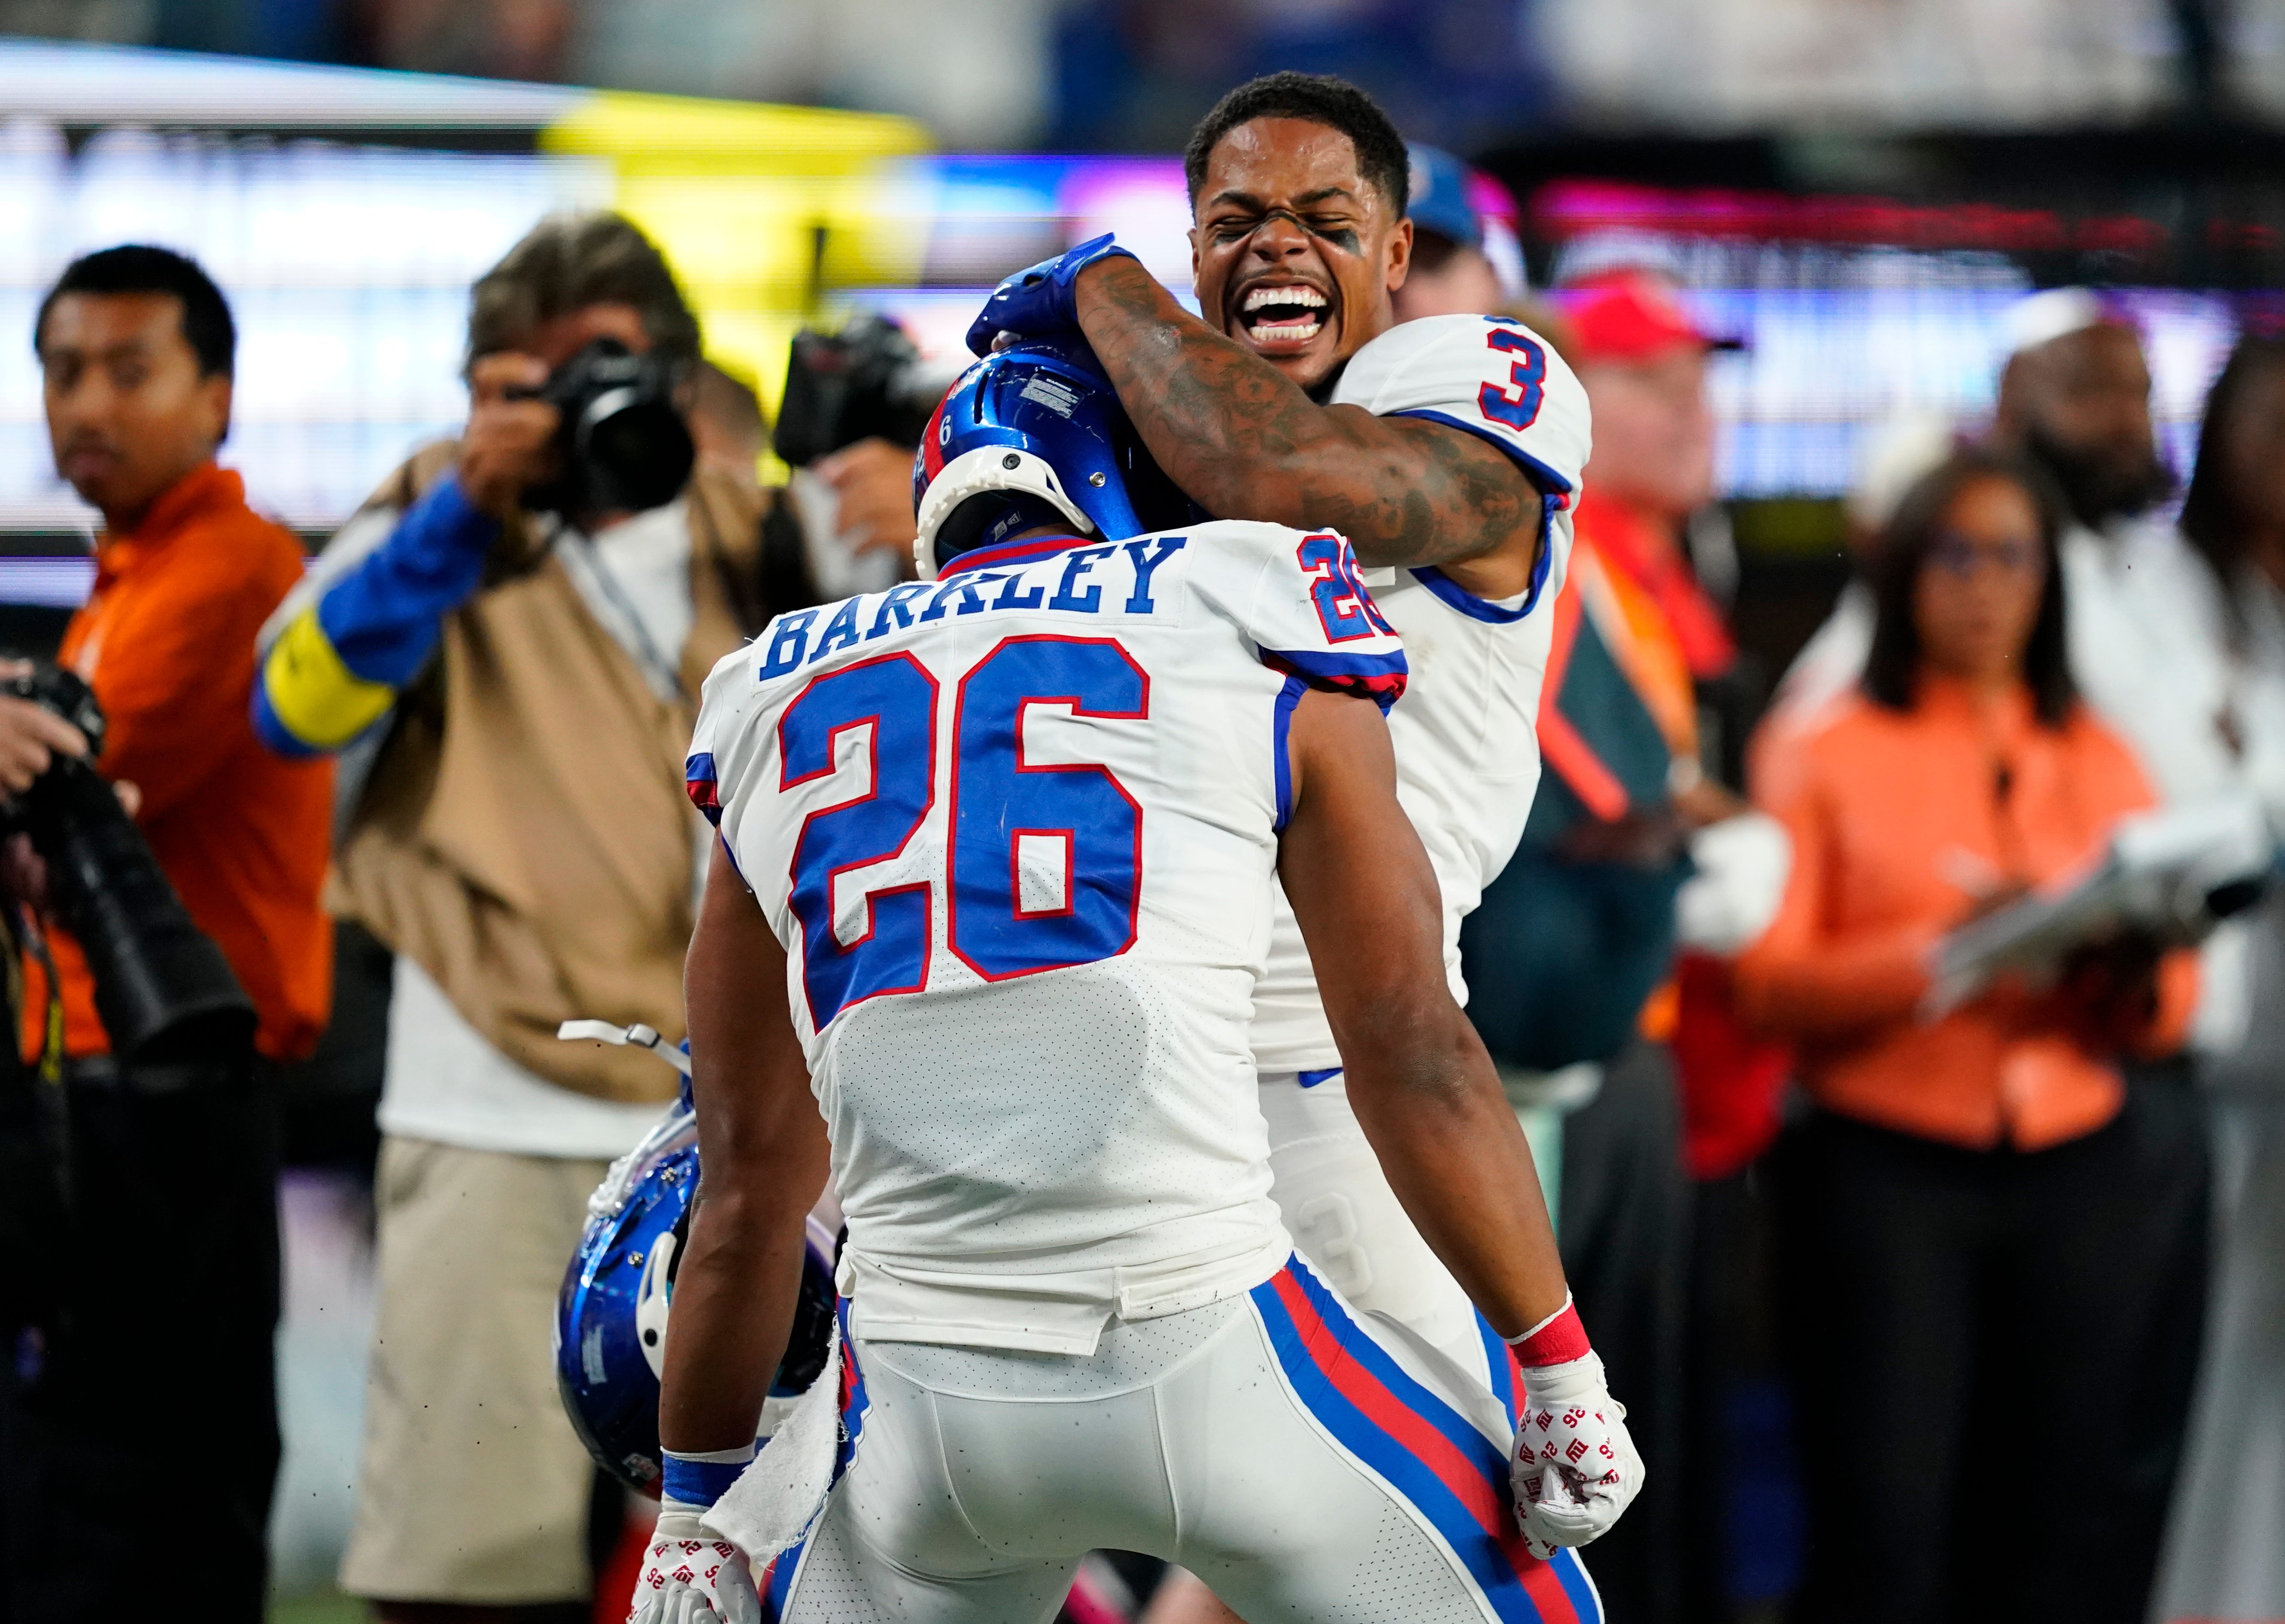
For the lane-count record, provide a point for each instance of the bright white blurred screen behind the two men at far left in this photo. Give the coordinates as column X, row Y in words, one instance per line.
column 346, row 266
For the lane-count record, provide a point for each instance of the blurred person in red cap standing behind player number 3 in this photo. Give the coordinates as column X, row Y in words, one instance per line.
column 1660, row 858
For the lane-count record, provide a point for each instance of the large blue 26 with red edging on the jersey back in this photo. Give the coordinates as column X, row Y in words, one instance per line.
column 1016, row 826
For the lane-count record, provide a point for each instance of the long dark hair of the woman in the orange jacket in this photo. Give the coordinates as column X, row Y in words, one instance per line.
column 1893, row 666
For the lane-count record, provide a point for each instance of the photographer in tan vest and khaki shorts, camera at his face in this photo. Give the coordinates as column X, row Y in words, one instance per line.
column 513, row 636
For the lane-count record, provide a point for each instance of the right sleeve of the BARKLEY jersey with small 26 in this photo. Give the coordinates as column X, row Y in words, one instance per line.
column 1304, row 604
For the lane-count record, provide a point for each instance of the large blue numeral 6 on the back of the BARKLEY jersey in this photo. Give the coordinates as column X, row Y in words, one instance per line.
column 1077, row 819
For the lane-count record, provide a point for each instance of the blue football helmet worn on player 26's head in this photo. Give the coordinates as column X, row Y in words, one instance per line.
column 1034, row 435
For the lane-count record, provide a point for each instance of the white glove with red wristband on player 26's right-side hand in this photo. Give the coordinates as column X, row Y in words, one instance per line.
column 1576, row 1468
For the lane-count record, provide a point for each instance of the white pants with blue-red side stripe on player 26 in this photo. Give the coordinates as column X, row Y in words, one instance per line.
column 1308, row 1465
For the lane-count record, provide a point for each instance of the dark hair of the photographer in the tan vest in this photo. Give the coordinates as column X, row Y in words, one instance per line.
column 570, row 262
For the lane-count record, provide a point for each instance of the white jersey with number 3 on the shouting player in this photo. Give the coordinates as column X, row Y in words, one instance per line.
column 1468, row 757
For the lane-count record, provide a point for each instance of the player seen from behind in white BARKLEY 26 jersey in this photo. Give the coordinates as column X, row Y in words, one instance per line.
column 981, row 935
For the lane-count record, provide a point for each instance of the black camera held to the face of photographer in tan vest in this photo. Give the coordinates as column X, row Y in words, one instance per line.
column 623, row 444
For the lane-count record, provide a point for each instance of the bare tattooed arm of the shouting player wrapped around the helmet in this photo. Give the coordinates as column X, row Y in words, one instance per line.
column 1249, row 444
